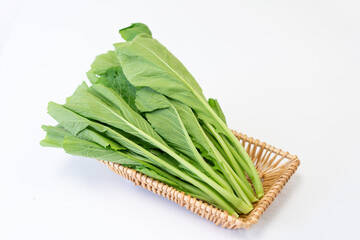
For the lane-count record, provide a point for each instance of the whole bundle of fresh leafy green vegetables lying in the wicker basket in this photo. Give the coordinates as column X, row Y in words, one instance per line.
column 145, row 111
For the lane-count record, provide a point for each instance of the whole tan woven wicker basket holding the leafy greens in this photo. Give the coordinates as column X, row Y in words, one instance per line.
column 274, row 166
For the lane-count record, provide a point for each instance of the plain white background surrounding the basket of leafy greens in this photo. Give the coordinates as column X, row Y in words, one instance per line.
column 286, row 72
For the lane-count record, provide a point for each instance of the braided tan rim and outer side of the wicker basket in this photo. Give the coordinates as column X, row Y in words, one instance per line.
column 204, row 209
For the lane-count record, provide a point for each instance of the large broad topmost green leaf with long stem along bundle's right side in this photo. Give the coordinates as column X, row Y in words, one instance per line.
column 147, row 63
